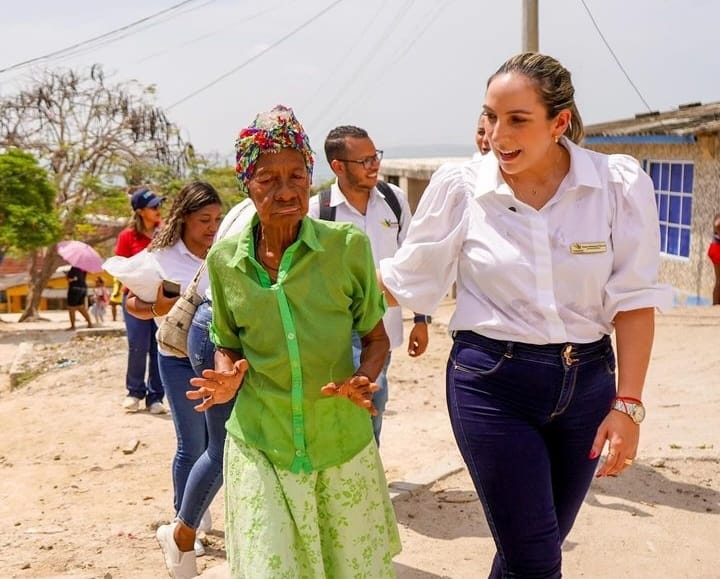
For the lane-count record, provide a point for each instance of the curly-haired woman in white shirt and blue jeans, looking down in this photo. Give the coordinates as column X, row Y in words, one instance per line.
column 180, row 247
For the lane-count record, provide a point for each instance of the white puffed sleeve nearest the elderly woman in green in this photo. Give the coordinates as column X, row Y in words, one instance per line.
column 424, row 268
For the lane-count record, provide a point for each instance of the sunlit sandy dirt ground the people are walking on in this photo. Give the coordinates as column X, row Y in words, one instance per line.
column 83, row 485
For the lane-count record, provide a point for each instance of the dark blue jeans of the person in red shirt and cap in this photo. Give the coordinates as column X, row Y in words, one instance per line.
column 142, row 356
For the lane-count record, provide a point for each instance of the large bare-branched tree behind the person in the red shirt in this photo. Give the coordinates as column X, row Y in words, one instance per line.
column 88, row 133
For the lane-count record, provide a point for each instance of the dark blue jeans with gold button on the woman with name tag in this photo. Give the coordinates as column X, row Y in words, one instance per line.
column 524, row 418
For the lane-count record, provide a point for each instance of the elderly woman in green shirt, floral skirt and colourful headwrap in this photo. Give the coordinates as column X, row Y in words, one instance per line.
column 305, row 494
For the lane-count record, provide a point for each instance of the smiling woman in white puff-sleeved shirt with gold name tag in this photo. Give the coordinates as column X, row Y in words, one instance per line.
column 552, row 247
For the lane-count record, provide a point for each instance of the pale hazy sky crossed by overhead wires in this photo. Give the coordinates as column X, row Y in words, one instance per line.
column 410, row 72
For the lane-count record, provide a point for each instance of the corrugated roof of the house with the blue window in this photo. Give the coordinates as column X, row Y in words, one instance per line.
column 690, row 119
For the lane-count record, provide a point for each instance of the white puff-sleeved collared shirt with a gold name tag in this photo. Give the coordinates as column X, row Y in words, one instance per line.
column 556, row 275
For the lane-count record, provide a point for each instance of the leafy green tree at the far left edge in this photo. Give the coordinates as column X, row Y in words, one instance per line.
column 28, row 219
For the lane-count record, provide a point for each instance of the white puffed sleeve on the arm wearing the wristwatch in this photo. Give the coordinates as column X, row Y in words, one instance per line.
column 633, row 283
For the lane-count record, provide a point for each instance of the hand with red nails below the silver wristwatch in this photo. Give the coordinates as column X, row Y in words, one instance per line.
column 623, row 436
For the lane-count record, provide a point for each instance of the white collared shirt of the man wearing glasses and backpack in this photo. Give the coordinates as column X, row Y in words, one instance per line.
column 381, row 226
